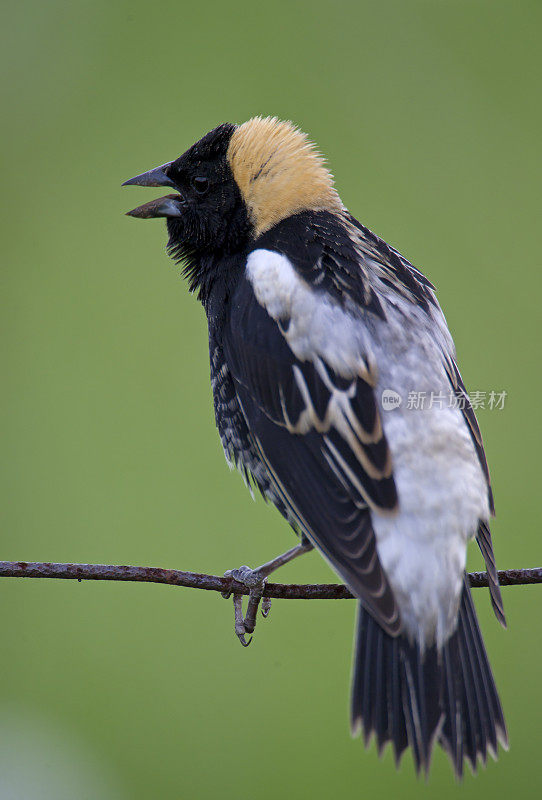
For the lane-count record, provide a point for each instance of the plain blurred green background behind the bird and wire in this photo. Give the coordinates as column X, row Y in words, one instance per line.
column 429, row 115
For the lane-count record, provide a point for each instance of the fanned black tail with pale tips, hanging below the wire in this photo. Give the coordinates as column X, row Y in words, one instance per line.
column 409, row 699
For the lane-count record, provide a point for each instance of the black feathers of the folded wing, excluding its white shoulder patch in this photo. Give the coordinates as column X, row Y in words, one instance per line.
column 320, row 438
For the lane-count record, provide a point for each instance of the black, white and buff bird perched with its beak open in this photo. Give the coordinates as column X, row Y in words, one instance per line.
column 337, row 395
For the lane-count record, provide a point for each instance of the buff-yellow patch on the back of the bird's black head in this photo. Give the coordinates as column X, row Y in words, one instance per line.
column 279, row 172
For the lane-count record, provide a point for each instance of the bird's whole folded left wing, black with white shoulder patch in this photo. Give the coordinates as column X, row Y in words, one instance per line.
column 306, row 390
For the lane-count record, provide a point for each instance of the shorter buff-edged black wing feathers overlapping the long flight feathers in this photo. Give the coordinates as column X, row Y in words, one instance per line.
column 304, row 396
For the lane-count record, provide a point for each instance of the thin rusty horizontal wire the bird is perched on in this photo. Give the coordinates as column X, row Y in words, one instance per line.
column 214, row 583
